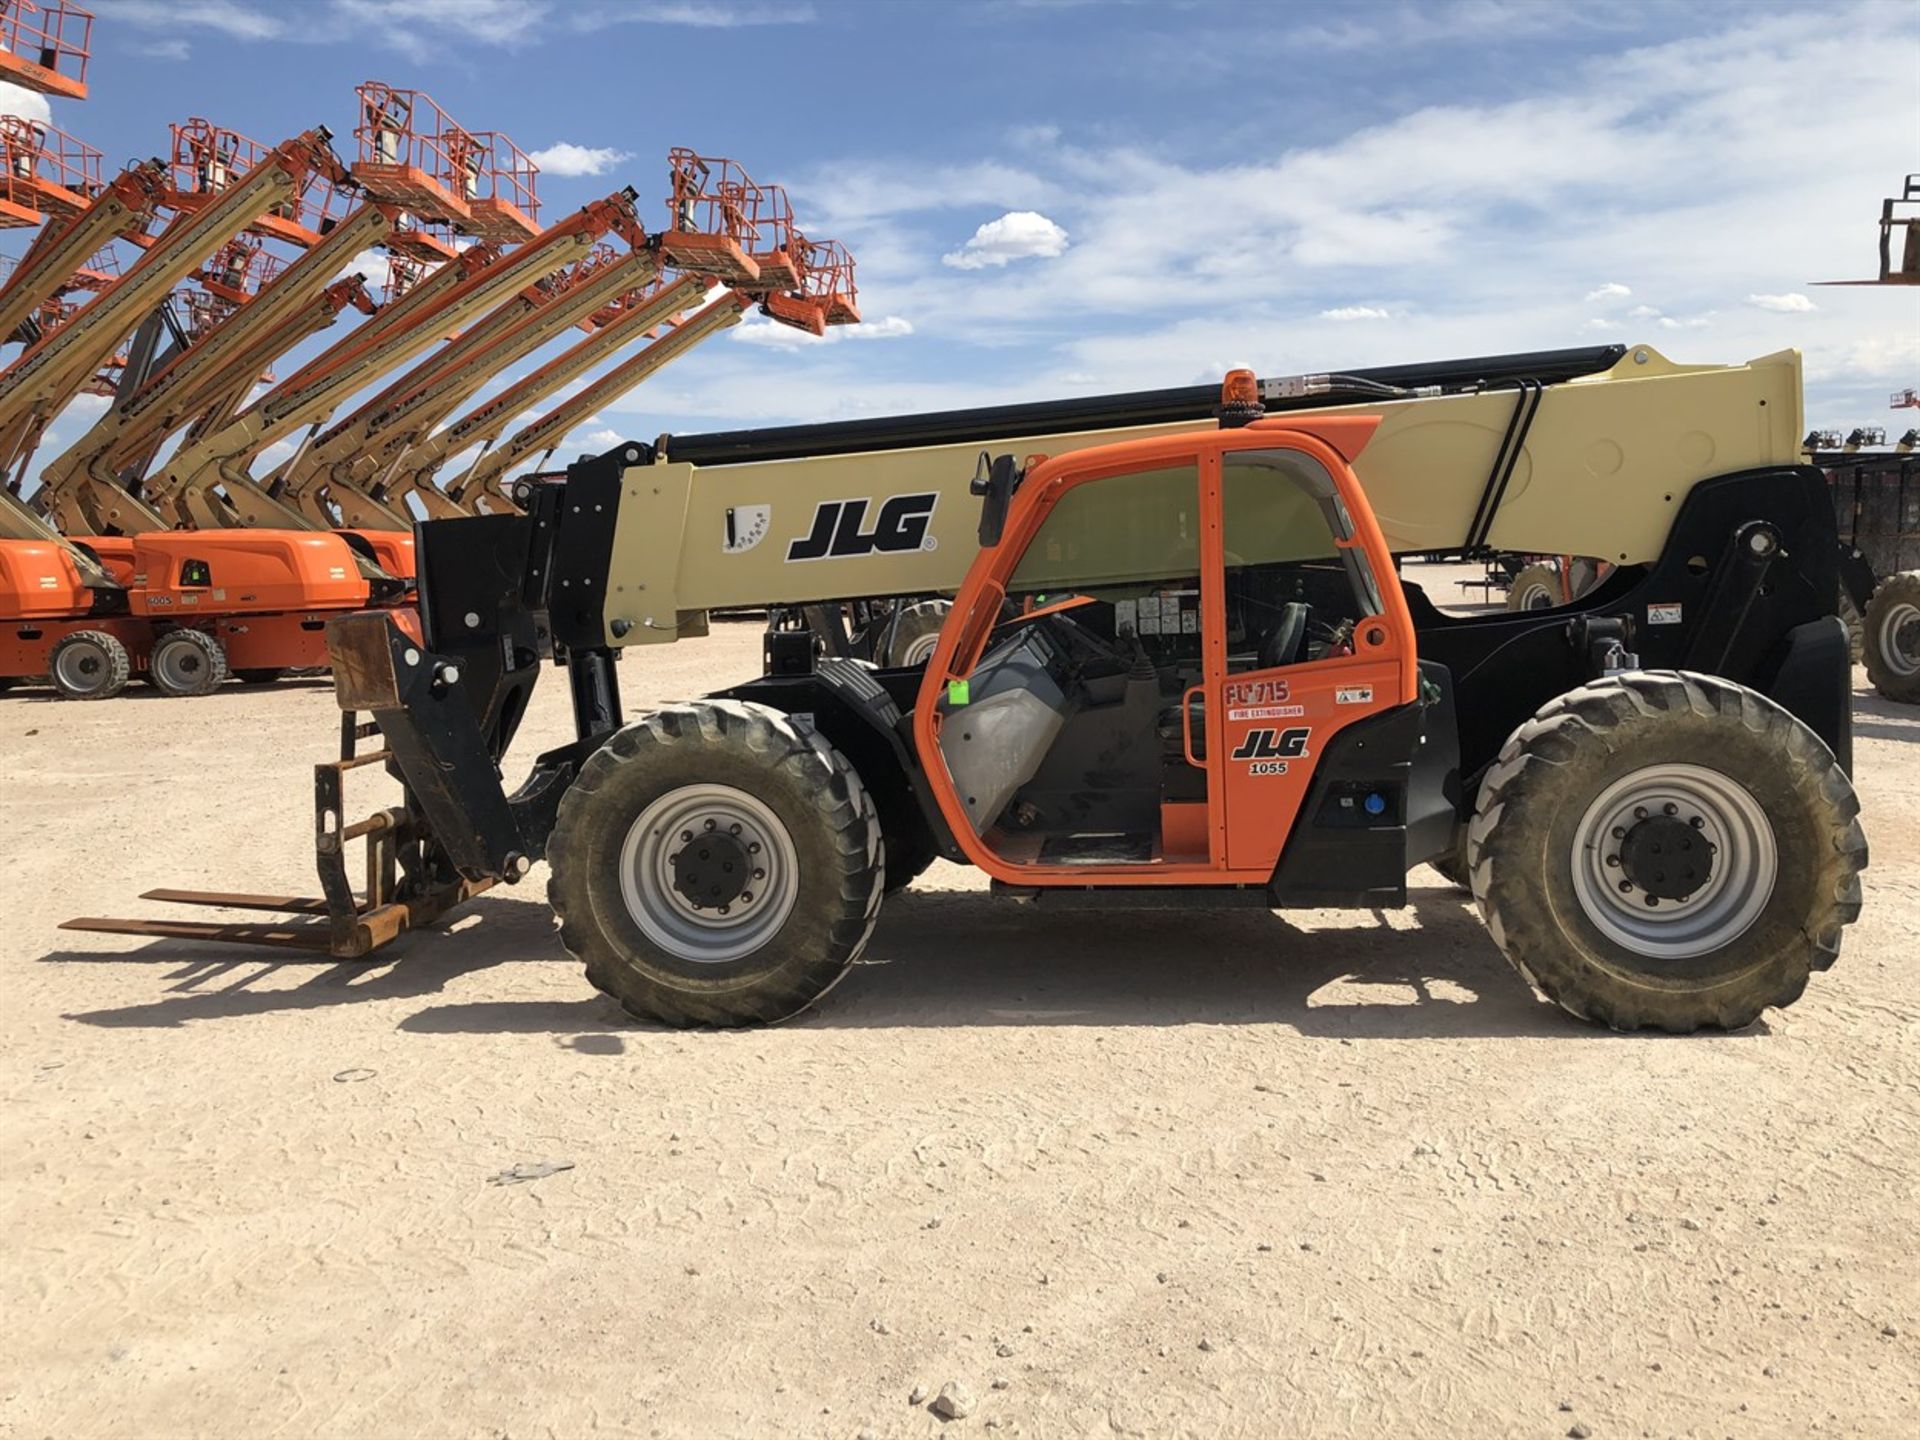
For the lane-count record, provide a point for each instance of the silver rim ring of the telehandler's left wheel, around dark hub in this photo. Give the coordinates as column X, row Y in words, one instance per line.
column 669, row 919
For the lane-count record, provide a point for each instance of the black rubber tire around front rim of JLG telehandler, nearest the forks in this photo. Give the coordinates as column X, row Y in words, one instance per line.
column 773, row 761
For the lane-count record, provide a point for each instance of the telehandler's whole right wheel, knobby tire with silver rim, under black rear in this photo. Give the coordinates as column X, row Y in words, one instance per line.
column 1689, row 792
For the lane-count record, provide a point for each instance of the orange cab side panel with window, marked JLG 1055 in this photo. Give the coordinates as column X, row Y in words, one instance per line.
column 1307, row 642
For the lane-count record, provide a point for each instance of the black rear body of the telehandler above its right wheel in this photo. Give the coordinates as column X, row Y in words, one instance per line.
column 1744, row 588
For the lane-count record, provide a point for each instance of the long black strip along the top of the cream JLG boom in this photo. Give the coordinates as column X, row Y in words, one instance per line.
column 1107, row 412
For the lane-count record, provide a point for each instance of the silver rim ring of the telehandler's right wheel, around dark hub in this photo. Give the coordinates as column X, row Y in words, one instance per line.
column 1746, row 863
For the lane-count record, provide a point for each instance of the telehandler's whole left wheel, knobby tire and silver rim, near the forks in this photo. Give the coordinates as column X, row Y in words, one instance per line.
column 688, row 811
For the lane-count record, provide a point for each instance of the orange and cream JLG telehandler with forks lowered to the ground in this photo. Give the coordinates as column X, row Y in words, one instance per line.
column 1180, row 669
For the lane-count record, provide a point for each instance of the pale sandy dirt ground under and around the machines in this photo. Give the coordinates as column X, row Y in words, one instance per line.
column 1184, row 1174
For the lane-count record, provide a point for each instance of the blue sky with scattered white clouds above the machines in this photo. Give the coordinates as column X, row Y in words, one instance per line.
column 1051, row 199
